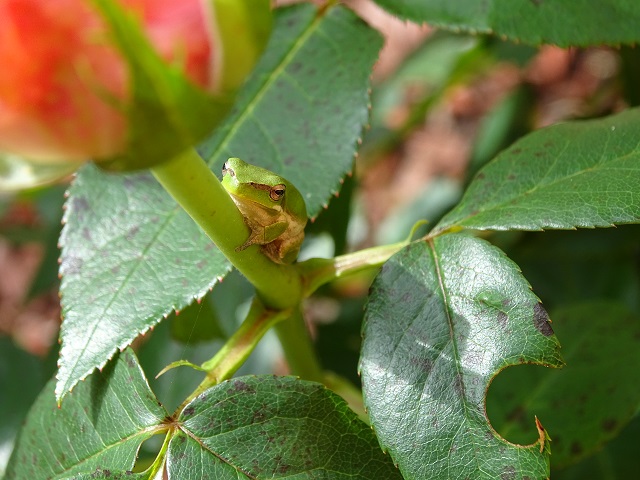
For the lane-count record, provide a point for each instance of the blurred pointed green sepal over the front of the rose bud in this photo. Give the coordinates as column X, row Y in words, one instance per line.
column 167, row 113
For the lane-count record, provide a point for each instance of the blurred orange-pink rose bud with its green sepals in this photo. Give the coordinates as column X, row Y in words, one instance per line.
column 105, row 80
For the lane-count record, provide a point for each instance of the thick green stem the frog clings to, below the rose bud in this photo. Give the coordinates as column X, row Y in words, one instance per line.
column 188, row 179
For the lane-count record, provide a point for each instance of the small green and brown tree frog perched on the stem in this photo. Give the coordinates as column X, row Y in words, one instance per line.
column 272, row 207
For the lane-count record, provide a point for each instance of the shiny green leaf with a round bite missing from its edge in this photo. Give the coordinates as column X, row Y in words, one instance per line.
column 443, row 318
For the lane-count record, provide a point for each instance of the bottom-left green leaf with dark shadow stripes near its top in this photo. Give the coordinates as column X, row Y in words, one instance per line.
column 100, row 425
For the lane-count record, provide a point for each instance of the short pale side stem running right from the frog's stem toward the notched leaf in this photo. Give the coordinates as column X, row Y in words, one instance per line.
column 318, row 271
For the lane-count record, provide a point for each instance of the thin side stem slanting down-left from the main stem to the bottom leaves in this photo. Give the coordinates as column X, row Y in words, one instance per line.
column 237, row 349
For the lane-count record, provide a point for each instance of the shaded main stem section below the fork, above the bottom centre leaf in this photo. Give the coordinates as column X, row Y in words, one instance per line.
column 298, row 349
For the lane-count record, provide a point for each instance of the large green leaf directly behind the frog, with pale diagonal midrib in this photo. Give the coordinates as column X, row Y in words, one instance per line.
column 303, row 111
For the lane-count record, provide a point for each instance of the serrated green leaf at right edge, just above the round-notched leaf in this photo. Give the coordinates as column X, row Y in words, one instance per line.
column 576, row 174
